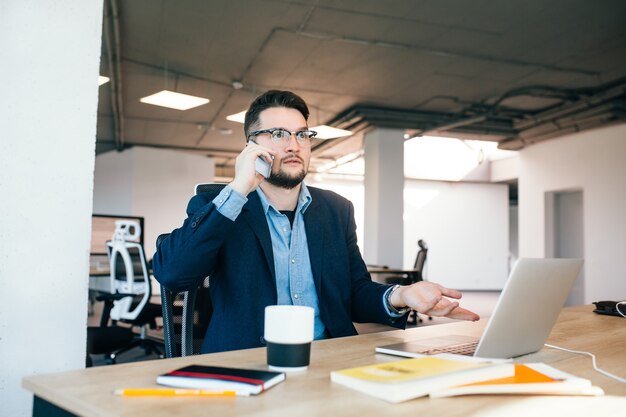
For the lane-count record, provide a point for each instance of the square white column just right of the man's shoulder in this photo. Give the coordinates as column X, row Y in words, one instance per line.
column 384, row 204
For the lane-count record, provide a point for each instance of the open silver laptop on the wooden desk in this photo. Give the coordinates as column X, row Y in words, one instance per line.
column 523, row 317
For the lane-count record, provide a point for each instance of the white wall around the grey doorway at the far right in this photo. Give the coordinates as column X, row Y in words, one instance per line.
column 594, row 162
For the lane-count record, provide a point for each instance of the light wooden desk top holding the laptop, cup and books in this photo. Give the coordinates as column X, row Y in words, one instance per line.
column 89, row 392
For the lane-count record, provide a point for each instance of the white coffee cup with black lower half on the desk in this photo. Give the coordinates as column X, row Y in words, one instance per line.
column 288, row 335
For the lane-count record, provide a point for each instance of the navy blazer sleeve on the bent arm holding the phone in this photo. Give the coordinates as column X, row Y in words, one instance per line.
column 189, row 254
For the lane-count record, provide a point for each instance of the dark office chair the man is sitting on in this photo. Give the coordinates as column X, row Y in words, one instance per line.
column 186, row 314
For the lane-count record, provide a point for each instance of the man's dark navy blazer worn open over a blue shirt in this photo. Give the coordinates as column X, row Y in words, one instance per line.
column 238, row 257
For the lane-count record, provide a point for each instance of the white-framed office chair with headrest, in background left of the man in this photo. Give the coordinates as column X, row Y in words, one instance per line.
column 131, row 288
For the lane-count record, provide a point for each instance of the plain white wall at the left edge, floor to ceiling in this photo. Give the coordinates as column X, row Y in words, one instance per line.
column 50, row 59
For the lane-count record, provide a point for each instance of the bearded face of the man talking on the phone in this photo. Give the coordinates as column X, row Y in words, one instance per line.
column 291, row 162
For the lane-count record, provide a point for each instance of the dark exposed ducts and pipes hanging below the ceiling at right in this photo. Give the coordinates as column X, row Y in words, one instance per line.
column 577, row 110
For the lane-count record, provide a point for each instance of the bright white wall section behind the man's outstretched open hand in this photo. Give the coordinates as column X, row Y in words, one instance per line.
column 466, row 226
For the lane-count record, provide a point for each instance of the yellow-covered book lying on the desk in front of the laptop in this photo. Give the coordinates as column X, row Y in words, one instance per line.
column 411, row 378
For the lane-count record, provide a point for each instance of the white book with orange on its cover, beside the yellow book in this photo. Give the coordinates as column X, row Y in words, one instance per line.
column 529, row 379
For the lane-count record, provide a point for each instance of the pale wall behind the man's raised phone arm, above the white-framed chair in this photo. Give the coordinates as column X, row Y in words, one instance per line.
column 154, row 183
